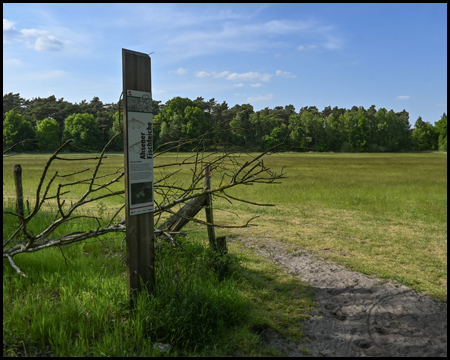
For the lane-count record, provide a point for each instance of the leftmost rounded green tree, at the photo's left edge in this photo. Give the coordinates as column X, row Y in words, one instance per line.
column 16, row 129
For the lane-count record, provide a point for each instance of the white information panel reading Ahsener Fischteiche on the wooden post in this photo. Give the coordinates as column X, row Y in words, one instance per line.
column 140, row 152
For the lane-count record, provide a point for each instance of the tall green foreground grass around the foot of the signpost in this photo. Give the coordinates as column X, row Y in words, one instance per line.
column 77, row 304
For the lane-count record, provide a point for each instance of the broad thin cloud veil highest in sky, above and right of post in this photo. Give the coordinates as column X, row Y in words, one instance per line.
column 187, row 34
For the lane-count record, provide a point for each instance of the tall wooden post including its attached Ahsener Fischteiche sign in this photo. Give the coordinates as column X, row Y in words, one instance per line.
column 138, row 182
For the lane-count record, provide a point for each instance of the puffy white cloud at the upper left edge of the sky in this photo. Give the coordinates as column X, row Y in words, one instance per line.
column 39, row 40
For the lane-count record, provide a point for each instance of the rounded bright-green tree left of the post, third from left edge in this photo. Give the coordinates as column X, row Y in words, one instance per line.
column 83, row 129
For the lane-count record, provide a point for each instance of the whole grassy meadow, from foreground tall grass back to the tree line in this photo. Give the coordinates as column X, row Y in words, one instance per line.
column 381, row 214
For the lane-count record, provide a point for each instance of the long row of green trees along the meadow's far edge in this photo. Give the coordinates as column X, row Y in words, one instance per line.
column 51, row 122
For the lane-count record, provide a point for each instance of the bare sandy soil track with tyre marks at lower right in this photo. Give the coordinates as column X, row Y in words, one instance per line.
column 356, row 315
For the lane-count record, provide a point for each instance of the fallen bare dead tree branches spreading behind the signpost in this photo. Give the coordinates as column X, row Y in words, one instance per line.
column 234, row 169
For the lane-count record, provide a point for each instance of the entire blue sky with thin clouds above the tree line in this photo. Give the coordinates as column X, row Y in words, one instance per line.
column 390, row 55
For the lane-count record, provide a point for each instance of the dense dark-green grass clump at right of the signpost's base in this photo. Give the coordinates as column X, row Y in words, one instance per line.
column 190, row 309
